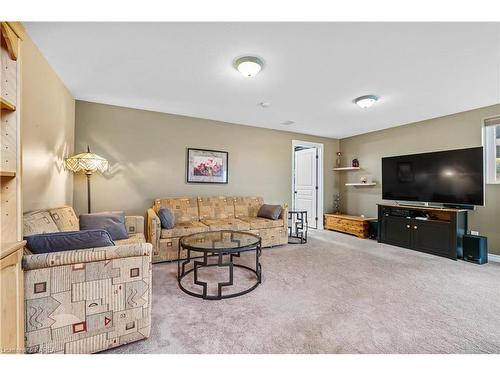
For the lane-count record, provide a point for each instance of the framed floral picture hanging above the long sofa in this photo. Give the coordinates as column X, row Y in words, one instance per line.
column 206, row 166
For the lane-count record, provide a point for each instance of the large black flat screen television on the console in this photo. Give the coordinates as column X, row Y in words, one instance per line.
column 454, row 177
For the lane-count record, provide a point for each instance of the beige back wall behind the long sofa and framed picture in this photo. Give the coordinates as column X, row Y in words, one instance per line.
column 147, row 155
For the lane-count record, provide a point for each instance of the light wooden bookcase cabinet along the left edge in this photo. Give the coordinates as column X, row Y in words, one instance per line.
column 11, row 246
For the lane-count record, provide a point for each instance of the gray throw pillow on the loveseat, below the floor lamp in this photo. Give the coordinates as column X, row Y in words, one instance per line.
column 113, row 222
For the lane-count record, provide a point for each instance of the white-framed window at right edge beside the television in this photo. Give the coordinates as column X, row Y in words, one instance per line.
column 492, row 149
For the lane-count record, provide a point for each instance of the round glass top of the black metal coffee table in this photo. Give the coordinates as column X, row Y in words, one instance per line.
column 219, row 241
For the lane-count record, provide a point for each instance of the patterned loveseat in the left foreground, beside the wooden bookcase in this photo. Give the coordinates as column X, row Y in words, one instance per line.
column 89, row 300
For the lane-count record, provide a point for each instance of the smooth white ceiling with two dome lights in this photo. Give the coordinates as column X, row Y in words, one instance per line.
column 312, row 71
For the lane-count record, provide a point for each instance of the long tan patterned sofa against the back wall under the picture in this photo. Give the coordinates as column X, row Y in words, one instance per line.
column 202, row 214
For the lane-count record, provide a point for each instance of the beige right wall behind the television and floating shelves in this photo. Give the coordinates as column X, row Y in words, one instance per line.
column 444, row 133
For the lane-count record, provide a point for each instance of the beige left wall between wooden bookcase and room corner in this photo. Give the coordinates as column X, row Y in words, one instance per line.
column 47, row 126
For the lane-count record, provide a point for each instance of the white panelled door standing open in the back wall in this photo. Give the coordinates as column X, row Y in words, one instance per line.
column 305, row 183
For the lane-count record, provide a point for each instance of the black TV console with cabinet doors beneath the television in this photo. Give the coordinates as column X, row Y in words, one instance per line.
column 436, row 231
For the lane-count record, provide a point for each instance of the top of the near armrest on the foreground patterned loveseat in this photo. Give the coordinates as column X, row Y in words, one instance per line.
column 62, row 258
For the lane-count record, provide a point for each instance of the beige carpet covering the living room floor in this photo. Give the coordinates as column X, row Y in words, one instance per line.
column 336, row 294
